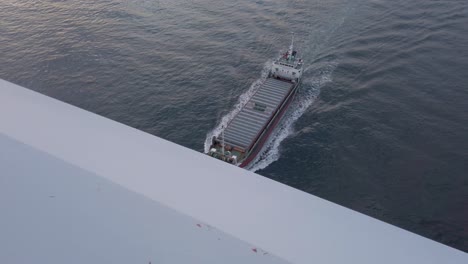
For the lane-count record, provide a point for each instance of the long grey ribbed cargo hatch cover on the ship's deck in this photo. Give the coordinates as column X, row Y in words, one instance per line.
column 250, row 121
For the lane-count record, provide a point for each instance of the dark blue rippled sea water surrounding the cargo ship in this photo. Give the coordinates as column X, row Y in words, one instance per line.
column 380, row 124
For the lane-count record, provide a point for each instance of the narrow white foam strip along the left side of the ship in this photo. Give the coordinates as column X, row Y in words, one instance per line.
column 243, row 99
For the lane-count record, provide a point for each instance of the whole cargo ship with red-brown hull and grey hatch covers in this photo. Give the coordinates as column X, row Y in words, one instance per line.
column 244, row 136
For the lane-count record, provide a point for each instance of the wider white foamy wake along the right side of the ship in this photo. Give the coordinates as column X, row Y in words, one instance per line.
column 307, row 94
